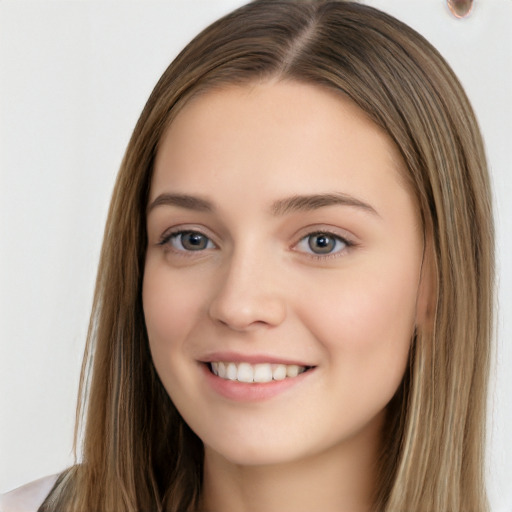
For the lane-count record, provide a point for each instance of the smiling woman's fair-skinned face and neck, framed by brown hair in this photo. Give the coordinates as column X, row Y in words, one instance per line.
column 281, row 235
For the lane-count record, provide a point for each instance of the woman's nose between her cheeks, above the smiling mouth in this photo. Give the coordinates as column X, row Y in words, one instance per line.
column 248, row 295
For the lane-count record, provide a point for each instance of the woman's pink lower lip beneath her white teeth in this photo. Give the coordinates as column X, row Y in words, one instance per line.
column 251, row 391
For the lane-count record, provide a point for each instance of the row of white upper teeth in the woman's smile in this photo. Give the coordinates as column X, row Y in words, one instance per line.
column 263, row 372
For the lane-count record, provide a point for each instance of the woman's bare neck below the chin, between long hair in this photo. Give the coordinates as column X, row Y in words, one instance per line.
column 341, row 479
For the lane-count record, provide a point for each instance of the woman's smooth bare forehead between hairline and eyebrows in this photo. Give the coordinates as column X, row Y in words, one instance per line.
column 294, row 136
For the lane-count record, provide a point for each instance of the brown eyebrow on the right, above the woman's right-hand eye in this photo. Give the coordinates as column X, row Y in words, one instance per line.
column 313, row 202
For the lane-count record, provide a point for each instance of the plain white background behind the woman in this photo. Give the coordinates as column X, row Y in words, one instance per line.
column 74, row 76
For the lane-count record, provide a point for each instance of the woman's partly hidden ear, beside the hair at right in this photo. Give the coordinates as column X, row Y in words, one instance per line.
column 426, row 300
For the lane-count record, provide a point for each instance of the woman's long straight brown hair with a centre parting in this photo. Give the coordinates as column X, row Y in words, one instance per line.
column 138, row 454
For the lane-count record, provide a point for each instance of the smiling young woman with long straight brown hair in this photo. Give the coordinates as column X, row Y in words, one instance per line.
column 294, row 302
